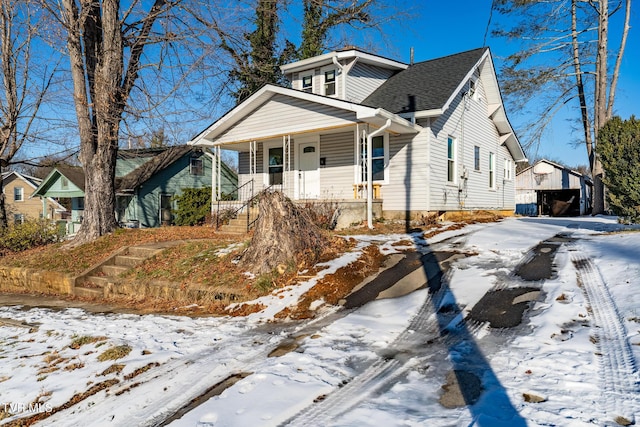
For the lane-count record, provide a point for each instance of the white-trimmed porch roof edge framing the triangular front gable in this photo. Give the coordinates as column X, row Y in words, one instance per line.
column 376, row 117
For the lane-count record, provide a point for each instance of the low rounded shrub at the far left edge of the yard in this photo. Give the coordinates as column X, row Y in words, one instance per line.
column 30, row 234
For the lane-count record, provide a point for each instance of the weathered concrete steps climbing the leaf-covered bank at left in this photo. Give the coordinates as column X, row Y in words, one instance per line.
column 91, row 283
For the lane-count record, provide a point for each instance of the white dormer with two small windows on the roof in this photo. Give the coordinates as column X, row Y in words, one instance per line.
column 348, row 74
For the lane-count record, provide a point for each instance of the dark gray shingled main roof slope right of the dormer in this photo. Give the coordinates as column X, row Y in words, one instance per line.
column 425, row 85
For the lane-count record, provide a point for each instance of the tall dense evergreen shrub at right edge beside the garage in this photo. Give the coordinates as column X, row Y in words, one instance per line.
column 617, row 147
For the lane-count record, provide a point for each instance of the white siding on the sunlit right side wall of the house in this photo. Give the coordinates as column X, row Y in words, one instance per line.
column 466, row 120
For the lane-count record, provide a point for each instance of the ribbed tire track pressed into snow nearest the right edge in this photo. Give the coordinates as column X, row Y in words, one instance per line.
column 616, row 364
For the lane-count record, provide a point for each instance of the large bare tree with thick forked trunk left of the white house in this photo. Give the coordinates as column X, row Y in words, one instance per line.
column 118, row 59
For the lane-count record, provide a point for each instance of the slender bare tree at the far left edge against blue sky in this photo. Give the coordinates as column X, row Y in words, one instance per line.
column 25, row 83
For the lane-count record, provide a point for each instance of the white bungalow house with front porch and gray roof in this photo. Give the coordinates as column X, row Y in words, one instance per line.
column 377, row 136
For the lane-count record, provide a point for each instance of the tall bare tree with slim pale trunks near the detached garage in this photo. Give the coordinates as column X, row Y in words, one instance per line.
column 564, row 60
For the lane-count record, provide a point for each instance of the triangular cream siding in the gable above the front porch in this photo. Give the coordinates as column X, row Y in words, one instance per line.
column 282, row 115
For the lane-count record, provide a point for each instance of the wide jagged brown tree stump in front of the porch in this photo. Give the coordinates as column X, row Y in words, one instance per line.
column 283, row 234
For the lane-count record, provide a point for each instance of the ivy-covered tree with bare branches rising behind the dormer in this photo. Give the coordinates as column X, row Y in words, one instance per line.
column 256, row 55
